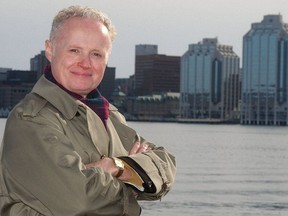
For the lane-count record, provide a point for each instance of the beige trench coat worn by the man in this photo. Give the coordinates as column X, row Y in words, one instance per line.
column 48, row 138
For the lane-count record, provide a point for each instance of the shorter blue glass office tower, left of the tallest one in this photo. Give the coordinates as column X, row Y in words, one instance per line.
column 209, row 83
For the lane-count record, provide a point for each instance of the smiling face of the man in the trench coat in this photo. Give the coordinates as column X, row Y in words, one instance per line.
column 79, row 54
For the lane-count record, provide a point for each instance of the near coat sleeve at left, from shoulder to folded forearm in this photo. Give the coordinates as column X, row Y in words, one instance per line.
column 44, row 172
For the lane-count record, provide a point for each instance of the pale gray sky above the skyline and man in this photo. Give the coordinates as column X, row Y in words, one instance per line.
column 170, row 24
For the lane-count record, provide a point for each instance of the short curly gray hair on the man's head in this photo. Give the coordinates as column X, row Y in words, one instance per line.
column 82, row 12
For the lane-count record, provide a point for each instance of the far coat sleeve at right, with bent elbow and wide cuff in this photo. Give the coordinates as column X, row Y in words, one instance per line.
column 159, row 164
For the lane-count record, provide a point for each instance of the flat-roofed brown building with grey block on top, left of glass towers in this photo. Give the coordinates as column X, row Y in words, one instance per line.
column 155, row 73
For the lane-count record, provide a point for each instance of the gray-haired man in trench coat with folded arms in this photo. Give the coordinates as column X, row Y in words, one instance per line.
column 66, row 150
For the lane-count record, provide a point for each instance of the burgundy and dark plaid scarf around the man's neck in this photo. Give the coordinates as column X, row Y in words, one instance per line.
column 94, row 99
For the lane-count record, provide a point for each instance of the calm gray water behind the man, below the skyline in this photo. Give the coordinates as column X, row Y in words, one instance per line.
column 222, row 170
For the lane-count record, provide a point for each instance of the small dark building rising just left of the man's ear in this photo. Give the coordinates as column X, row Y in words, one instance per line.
column 38, row 63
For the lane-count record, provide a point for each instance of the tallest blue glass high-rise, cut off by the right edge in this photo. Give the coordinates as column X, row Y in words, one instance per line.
column 265, row 73
